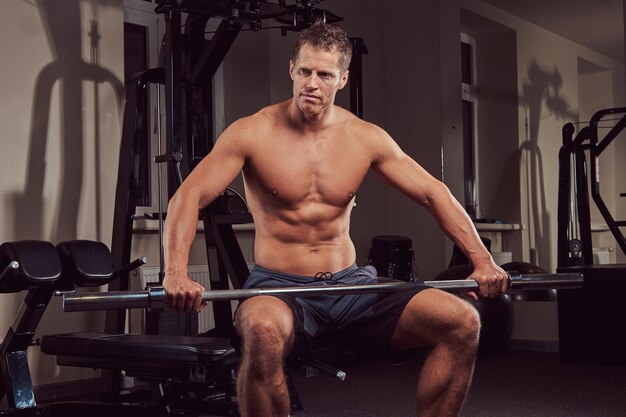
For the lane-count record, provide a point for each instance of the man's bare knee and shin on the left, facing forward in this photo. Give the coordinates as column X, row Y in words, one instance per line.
column 266, row 328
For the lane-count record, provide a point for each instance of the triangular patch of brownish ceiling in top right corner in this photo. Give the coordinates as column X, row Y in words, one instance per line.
column 596, row 24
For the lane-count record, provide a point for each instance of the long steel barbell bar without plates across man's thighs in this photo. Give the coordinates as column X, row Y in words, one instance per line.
column 154, row 298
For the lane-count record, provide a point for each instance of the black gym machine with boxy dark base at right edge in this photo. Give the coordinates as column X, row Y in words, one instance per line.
column 591, row 321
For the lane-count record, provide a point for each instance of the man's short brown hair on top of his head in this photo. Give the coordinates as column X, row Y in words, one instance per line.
column 328, row 37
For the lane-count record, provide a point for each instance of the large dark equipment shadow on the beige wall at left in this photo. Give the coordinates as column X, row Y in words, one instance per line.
column 62, row 20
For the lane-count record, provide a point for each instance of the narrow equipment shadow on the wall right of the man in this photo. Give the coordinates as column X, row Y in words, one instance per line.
column 540, row 91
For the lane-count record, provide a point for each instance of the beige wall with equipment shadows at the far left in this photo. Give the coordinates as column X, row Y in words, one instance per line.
column 60, row 115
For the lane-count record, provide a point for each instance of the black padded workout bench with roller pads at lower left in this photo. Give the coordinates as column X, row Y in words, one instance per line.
column 188, row 375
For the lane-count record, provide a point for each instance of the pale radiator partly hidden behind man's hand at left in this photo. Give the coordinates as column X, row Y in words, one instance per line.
column 200, row 274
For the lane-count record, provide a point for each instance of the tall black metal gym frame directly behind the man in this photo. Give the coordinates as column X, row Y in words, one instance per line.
column 190, row 64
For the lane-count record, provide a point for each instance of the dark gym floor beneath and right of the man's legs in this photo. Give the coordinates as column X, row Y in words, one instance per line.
column 506, row 384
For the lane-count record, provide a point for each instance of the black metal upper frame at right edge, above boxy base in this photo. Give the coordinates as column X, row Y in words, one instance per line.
column 586, row 141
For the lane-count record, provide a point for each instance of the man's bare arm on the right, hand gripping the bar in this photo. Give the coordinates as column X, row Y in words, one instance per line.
column 404, row 173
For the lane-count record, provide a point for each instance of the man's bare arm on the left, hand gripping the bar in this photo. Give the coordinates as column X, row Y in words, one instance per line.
column 203, row 185
